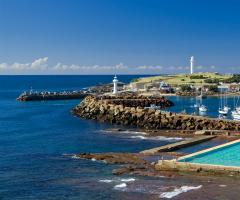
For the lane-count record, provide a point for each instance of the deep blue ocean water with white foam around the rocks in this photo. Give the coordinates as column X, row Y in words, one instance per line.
column 39, row 141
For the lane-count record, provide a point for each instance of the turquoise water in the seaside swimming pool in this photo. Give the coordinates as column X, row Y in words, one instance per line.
column 227, row 155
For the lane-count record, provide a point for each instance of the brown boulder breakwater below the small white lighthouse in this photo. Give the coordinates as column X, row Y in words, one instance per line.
column 126, row 110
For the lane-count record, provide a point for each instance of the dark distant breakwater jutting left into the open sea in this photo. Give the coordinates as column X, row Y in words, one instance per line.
column 52, row 96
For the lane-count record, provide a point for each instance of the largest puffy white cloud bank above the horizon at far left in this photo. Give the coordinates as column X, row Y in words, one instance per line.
column 37, row 64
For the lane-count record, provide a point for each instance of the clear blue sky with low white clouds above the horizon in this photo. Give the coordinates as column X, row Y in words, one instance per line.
column 118, row 36
